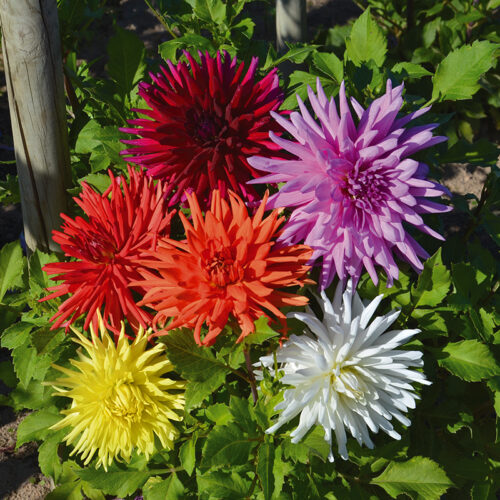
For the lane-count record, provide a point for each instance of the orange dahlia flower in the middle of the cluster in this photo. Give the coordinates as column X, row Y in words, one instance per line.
column 228, row 268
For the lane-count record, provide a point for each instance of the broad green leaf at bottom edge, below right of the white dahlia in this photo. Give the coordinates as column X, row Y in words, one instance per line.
column 419, row 477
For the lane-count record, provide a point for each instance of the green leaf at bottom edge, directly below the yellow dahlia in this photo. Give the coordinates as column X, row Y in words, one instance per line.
column 114, row 481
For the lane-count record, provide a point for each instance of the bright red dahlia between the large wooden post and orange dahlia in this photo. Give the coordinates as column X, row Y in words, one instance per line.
column 122, row 224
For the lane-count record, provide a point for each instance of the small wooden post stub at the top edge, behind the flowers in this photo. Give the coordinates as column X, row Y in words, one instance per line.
column 290, row 22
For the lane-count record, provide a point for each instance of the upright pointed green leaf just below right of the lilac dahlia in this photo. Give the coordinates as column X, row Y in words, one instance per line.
column 433, row 283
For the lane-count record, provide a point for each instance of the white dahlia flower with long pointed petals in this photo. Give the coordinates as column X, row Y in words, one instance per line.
column 346, row 373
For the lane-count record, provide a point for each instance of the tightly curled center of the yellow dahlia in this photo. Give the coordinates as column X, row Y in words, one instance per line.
column 125, row 401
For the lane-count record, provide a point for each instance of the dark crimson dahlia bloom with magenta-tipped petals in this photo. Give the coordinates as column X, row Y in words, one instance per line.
column 205, row 119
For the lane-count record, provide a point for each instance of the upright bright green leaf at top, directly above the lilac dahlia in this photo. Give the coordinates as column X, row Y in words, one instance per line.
column 366, row 41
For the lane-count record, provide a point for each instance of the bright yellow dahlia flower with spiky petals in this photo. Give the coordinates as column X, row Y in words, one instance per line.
column 120, row 398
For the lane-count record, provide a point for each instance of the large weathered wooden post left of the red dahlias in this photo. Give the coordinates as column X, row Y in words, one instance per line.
column 33, row 70
